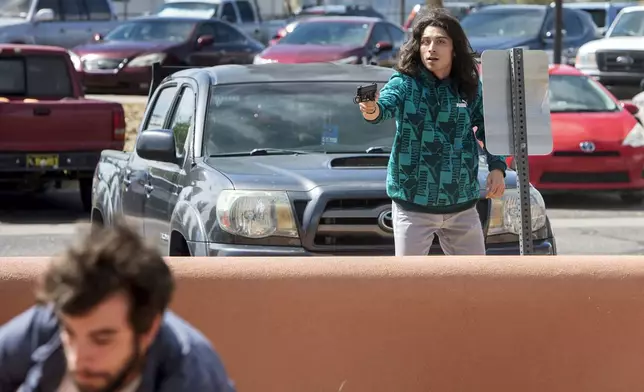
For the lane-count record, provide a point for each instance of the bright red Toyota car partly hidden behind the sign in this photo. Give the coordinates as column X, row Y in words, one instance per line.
column 598, row 142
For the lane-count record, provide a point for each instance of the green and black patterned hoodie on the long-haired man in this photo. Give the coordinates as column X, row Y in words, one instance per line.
column 434, row 161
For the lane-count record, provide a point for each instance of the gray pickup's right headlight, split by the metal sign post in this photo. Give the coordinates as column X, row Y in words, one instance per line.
column 505, row 214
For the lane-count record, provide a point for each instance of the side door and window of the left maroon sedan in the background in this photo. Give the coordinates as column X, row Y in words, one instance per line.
column 229, row 46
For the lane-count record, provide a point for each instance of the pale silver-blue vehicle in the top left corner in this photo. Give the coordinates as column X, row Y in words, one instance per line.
column 67, row 23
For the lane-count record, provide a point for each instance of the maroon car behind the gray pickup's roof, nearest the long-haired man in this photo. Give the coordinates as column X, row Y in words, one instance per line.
column 340, row 39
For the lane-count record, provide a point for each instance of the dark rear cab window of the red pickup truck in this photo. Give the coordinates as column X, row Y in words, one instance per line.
column 35, row 76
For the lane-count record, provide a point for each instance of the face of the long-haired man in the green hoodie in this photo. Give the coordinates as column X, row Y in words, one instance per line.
column 436, row 50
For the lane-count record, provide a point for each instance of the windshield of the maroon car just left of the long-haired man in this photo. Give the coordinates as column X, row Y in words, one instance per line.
column 328, row 33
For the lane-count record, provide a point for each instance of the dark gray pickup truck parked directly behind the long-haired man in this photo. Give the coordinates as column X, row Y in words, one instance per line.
column 272, row 160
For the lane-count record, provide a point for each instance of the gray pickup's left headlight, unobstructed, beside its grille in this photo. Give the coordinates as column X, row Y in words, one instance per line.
column 256, row 214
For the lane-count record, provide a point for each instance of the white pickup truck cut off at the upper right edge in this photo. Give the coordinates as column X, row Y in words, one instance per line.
column 617, row 60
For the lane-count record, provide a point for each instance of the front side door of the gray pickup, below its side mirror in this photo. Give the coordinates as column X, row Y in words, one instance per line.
column 163, row 177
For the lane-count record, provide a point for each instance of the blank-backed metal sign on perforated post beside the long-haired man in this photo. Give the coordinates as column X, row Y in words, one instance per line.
column 515, row 99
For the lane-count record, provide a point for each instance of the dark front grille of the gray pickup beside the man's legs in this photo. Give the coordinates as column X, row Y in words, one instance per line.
column 358, row 225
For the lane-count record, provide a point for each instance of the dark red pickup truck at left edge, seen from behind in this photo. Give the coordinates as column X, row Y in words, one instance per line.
column 50, row 133
